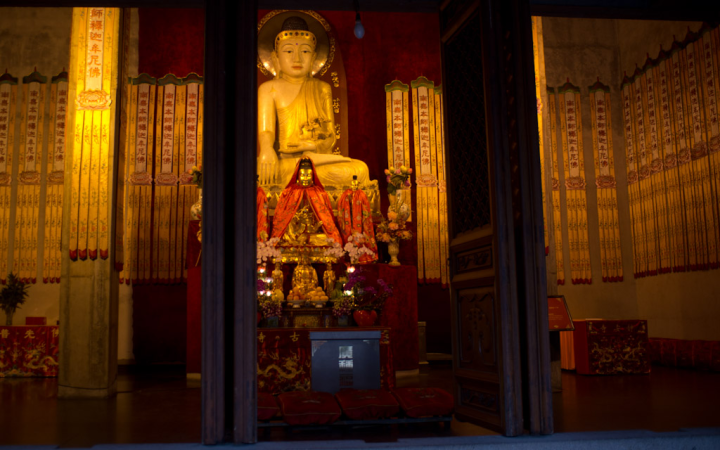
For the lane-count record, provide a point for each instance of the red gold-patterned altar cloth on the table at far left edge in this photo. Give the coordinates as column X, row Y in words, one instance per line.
column 29, row 351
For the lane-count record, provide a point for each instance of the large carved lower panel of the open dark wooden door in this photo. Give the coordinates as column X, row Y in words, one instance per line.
column 476, row 328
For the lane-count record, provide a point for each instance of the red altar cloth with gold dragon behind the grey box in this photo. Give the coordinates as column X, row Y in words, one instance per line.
column 285, row 358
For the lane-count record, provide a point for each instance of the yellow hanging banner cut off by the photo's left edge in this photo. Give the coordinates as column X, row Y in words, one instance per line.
column 8, row 105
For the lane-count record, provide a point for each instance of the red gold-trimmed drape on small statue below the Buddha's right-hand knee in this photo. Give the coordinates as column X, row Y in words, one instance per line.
column 354, row 216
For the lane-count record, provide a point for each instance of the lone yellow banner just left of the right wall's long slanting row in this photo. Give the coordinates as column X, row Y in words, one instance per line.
column 610, row 247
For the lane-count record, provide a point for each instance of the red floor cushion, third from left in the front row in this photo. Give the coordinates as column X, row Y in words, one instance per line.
column 367, row 404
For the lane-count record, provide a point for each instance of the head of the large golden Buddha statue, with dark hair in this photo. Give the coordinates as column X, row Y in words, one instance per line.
column 295, row 48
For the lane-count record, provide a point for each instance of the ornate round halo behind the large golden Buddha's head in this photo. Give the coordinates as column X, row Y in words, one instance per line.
column 271, row 25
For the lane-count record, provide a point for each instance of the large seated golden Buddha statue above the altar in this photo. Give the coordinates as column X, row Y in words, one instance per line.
column 295, row 110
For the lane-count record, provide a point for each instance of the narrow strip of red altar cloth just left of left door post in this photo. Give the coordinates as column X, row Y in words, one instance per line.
column 194, row 295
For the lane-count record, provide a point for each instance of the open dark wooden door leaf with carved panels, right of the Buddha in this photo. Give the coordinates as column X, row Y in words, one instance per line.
column 484, row 357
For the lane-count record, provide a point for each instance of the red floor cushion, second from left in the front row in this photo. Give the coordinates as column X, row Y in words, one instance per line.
column 309, row 408
